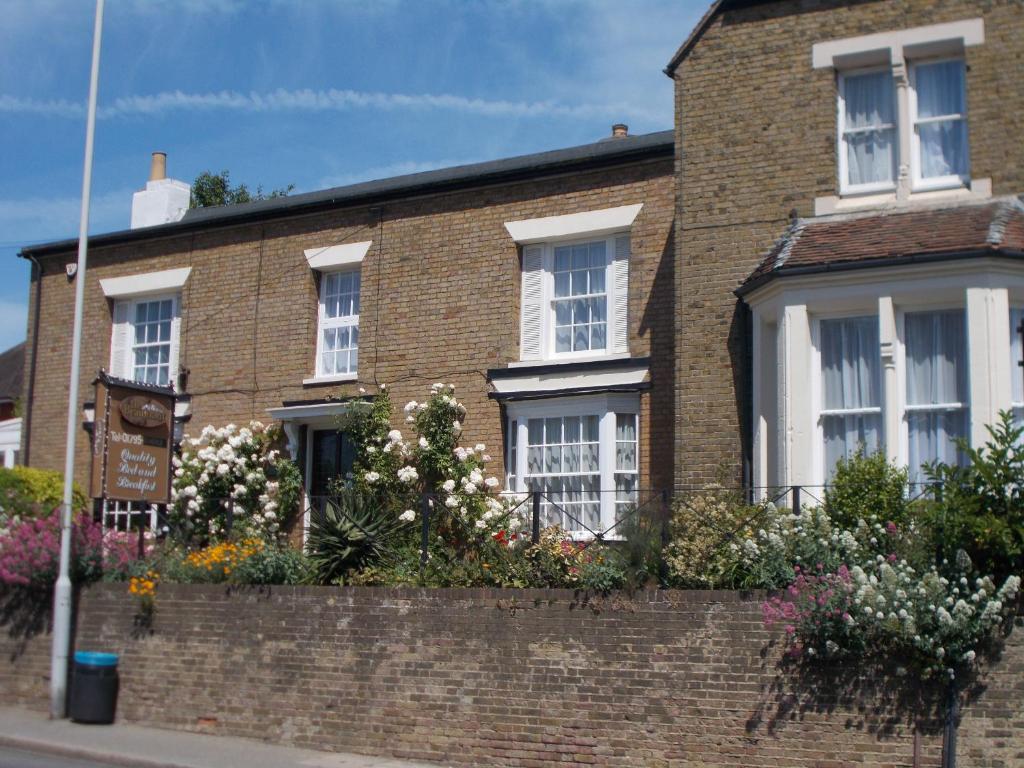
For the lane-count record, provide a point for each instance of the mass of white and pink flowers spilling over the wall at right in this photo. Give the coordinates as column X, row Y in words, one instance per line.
column 872, row 585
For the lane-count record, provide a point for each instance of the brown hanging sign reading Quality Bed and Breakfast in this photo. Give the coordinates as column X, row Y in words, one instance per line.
column 133, row 442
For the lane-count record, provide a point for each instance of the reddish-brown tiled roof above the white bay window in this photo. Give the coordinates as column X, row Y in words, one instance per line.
column 844, row 242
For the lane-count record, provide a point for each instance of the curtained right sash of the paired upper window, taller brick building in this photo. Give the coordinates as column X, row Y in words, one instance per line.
column 944, row 143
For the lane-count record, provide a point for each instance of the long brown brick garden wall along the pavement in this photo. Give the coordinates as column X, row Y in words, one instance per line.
column 513, row 678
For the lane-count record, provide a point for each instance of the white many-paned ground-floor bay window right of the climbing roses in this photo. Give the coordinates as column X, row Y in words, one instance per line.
column 581, row 454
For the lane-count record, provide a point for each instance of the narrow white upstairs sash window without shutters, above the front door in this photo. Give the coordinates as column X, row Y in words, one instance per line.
column 338, row 337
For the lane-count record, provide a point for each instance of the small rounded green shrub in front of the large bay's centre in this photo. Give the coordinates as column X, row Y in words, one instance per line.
column 865, row 486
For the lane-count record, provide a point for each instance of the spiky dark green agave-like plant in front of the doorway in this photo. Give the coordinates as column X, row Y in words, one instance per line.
column 347, row 535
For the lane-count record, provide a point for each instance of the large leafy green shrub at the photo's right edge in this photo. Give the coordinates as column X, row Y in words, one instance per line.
column 982, row 507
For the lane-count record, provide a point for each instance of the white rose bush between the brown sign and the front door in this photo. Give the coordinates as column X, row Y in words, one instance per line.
column 233, row 473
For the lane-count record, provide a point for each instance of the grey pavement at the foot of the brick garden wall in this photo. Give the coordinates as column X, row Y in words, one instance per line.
column 137, row 747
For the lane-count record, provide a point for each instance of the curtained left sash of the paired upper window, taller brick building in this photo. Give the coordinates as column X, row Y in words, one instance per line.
column 870, row 129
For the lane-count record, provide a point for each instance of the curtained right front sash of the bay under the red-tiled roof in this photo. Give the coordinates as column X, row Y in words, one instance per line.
column 936, row 382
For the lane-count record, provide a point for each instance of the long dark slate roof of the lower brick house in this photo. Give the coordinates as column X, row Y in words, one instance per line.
column 573, row 159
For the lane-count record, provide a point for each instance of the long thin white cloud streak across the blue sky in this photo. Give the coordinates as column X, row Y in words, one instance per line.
column 308, row 101
